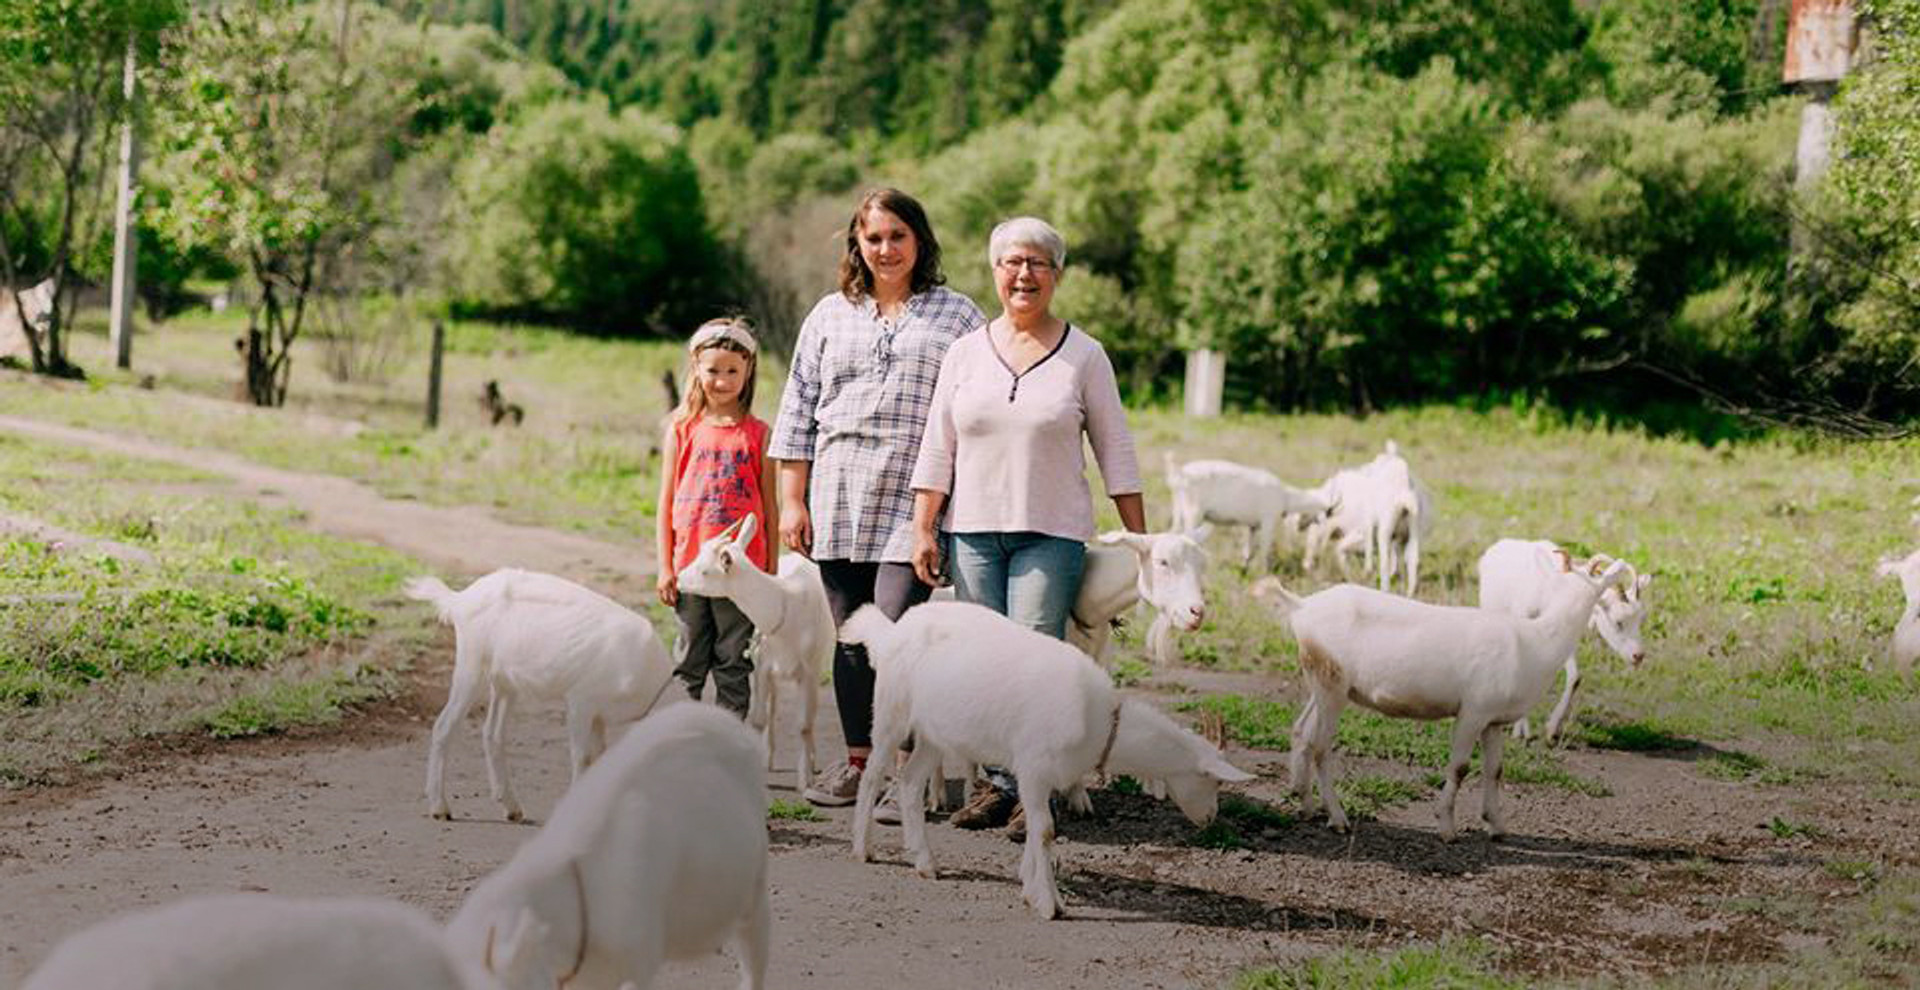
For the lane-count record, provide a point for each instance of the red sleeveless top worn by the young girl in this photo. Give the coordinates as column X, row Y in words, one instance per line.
column 719, row 483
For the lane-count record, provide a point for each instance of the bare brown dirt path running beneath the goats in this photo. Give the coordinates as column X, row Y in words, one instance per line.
column 1644, row 880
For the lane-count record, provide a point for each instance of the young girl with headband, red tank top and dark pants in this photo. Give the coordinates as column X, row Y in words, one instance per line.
column 715, row 473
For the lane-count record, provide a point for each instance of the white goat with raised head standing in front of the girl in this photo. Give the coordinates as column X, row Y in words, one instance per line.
column 792, row 626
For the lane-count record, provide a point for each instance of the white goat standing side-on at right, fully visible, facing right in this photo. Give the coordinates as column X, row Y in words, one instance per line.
column 1408, row 659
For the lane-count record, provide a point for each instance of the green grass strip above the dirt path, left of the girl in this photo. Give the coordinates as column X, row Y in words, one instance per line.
column 583, row 461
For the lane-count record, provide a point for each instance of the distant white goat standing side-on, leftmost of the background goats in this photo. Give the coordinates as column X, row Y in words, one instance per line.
column 1232, row 494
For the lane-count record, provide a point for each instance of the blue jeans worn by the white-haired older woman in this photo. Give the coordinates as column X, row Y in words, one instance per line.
column 1030, row 578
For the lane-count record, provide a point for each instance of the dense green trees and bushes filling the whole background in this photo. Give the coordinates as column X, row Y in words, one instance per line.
column 1364, row 202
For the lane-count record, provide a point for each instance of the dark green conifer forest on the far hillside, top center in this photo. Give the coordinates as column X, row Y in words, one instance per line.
column 911, row 76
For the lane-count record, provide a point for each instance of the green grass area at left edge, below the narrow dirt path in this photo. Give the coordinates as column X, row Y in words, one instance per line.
column 199, row 623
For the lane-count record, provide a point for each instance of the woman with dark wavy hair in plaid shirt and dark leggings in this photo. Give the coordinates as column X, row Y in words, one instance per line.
column 850, row 429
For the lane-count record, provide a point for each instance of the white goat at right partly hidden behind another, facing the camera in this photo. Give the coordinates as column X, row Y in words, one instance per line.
column 1514, row 578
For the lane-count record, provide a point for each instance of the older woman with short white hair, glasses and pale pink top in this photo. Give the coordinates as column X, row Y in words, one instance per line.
column 1005, row 460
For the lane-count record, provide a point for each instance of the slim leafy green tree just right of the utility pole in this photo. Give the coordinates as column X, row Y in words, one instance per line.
column 279, row 131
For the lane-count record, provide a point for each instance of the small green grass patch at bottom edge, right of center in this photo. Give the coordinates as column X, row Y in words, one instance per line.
column 1456, row 964
